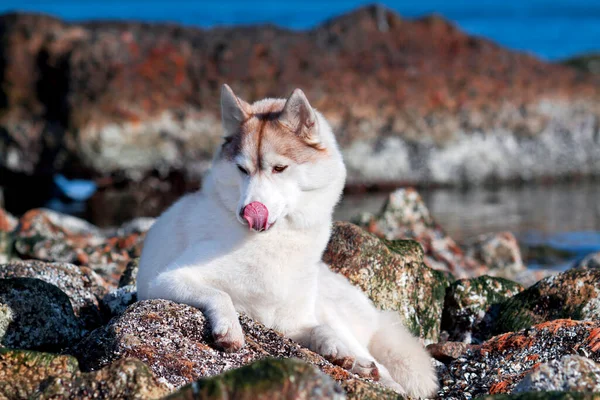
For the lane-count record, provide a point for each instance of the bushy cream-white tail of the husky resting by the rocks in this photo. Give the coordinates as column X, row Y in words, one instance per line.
column 404, row 357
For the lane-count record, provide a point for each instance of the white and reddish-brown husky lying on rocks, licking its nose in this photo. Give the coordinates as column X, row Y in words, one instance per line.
column 251, row 241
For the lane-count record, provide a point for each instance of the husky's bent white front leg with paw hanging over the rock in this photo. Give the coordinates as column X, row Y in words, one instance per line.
column 183, row 285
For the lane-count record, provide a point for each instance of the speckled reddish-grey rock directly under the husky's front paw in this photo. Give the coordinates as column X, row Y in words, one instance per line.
column 174, row 340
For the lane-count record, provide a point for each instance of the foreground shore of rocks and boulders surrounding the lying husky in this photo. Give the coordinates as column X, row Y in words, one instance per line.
column 71, row 326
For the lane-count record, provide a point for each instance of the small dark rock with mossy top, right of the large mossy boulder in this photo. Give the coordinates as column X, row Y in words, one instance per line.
column 471, row 305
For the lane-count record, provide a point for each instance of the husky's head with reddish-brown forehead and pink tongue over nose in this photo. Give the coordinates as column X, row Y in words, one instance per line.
column 279, row 161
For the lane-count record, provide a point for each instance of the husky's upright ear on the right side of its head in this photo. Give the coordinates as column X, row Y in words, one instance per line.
column 299, row 117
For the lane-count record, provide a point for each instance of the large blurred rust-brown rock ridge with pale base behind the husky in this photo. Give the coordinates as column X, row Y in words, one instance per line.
column 135, row 106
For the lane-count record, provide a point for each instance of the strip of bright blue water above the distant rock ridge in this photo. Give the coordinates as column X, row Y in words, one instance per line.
column 549, row 29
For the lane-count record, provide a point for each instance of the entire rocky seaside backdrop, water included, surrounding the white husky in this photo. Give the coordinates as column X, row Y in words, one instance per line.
column 110, row 111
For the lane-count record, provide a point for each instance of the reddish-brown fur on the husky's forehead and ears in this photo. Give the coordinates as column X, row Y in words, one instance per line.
column 286, row 127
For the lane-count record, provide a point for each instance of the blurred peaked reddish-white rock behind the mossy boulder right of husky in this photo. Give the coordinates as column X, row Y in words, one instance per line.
column 405, row 216
